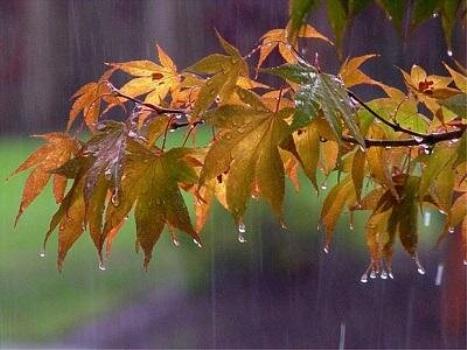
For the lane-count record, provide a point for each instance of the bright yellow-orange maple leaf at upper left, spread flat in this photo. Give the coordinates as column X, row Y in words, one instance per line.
column 153, row 80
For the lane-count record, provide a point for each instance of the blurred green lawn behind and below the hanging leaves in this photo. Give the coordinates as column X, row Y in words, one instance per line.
column 39, row 305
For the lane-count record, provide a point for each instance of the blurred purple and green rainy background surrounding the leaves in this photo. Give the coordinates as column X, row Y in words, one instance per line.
column 278, row 290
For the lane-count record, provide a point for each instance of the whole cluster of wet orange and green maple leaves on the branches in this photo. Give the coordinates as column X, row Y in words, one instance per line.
column 396, row 156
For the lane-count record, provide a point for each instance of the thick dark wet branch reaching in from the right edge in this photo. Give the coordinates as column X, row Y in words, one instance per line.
column 428, row 139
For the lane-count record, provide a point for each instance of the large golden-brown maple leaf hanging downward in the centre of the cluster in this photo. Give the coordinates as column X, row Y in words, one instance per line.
column 247, row 148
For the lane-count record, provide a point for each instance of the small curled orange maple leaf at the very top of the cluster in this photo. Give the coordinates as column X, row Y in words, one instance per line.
column 278, row 38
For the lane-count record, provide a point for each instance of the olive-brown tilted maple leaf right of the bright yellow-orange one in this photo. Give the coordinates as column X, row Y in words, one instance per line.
column 225, row 70
